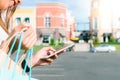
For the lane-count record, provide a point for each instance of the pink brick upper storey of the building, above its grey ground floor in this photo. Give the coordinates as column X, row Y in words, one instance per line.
column 51, row 15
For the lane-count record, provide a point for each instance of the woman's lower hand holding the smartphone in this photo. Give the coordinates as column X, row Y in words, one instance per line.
column 37, row 57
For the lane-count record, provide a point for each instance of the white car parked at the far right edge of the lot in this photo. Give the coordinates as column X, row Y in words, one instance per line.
column 104, row 48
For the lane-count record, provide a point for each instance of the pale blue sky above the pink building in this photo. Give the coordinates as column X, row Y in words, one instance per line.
column 80, row 8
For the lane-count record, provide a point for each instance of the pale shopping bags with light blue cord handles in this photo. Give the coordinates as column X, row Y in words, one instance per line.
column 9, row 69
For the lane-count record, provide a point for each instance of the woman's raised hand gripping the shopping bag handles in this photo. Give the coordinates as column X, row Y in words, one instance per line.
column 29, row 37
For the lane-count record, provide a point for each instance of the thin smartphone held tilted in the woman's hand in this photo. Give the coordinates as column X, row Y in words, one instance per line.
column 59, row 50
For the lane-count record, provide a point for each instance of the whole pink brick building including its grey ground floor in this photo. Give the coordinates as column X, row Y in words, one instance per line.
column 52, row 21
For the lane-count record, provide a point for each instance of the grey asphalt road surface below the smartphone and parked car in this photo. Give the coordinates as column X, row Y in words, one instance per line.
column 81, row 66
